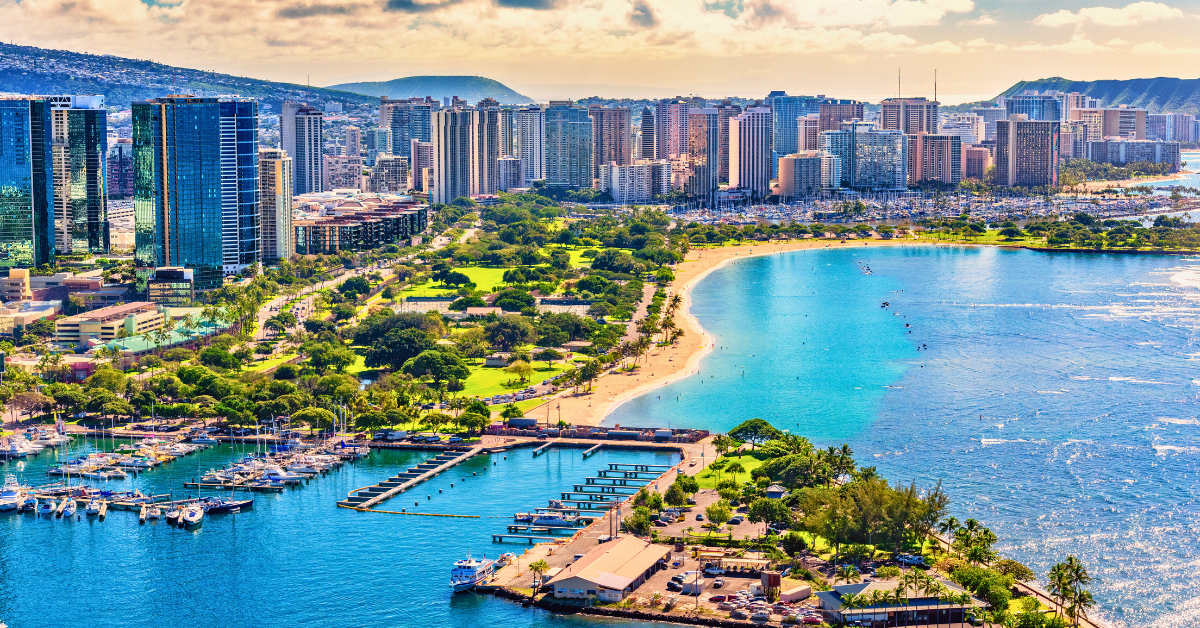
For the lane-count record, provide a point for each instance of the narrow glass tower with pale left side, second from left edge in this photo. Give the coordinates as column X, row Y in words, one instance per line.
column 80, row 148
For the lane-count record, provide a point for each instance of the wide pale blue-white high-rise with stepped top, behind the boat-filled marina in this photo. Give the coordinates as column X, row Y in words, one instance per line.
column 872, row 159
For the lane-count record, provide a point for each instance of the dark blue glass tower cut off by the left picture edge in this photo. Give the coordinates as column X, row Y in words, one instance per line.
column 27, row 206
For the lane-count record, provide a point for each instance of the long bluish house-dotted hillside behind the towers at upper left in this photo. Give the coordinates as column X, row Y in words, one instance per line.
column 29, row 70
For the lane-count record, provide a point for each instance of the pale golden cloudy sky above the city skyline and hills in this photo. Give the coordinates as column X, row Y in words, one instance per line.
column 639, row 49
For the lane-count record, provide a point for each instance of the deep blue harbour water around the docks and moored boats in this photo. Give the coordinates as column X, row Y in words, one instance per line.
column 295, row 560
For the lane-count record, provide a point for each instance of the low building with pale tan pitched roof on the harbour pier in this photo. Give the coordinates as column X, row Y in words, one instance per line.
column 611, row 571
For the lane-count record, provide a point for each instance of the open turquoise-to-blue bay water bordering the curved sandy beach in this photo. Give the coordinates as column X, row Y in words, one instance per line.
column 1055, row 396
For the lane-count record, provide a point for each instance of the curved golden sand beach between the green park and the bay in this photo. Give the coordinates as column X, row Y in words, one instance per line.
column 663, row 366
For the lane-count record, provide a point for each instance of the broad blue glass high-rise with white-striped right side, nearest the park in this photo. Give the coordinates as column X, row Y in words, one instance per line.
column 196, row 190
